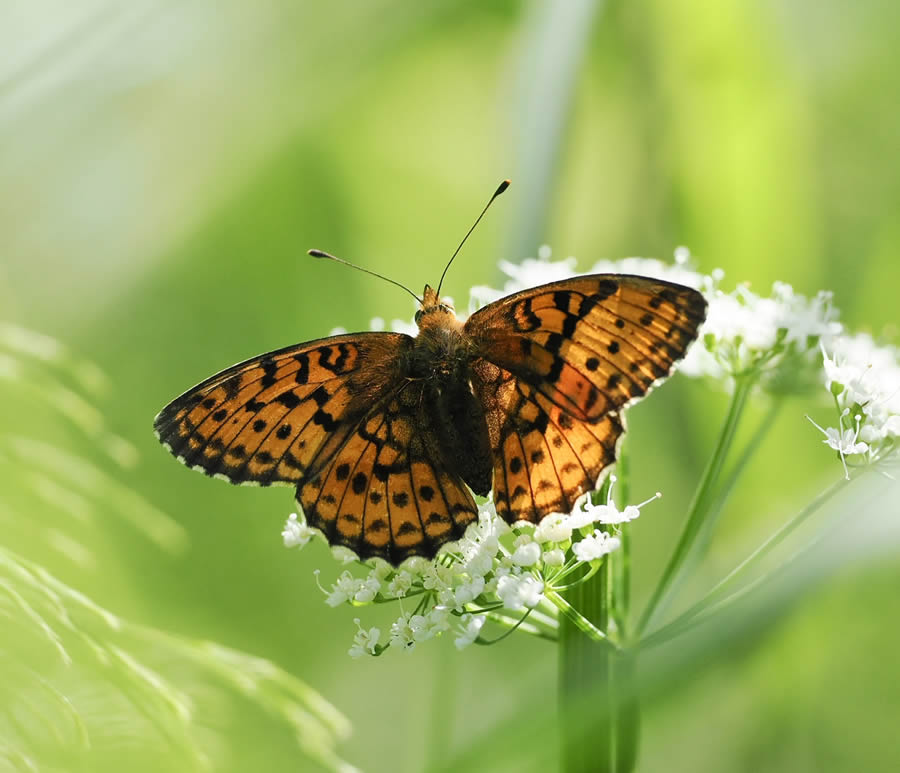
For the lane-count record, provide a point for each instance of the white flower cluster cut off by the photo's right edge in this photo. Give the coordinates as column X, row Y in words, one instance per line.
column 863, row 379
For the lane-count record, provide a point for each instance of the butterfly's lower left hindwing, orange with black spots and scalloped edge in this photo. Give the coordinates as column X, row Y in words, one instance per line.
column 387, row 492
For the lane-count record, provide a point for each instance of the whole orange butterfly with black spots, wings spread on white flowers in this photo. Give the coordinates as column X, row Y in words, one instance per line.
column 384, row 435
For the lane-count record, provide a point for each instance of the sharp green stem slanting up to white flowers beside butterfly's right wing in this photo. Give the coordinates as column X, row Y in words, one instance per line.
column 703, row 499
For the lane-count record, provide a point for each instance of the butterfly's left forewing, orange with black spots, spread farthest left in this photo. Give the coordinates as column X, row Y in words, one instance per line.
column 279, row 417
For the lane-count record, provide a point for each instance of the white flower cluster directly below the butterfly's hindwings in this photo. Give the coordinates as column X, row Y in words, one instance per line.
column 494, row 572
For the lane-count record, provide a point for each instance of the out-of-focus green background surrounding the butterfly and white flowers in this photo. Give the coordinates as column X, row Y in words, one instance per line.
column 164, row 167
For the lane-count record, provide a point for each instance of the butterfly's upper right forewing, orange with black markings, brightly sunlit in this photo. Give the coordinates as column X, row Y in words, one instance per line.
column 591, row 343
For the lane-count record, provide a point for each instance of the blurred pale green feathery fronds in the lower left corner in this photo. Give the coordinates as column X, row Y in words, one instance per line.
column 85, row 689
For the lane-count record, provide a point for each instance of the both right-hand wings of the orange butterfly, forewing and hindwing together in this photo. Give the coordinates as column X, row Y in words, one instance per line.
column 557, row 362
